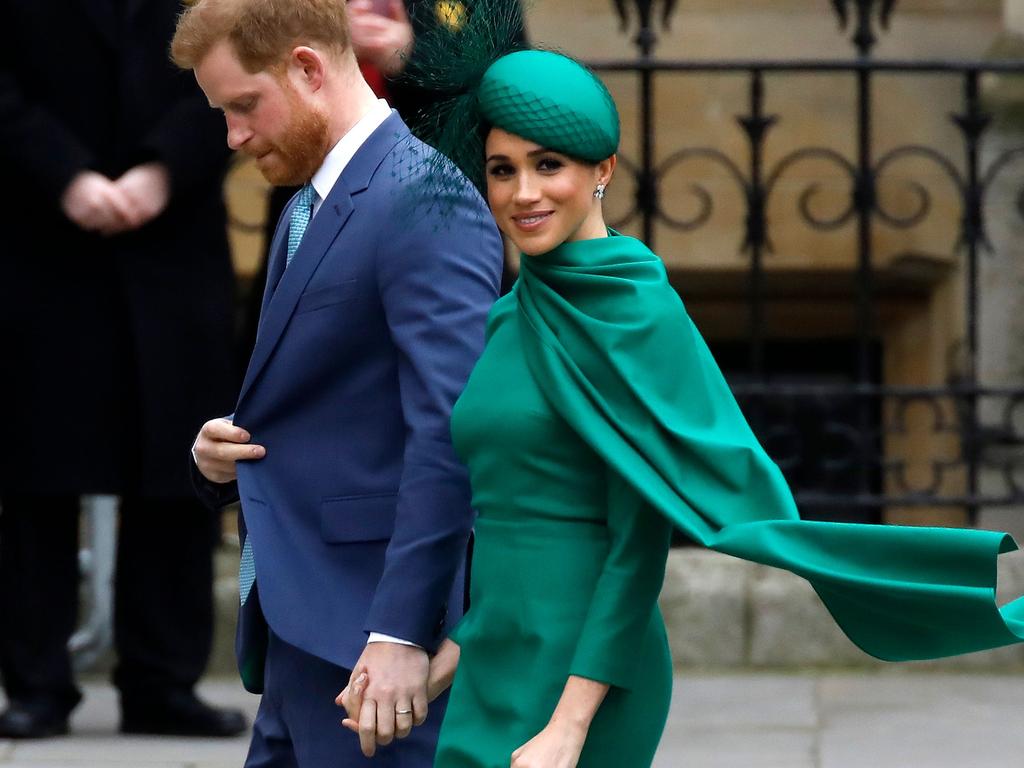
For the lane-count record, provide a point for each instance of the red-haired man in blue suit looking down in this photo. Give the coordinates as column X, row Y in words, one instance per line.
column 356, row 510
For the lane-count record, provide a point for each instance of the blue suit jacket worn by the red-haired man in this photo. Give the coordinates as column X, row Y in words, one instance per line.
column 360, row 513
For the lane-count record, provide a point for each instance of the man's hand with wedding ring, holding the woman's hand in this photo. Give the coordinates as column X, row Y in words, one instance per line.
column 390, row 684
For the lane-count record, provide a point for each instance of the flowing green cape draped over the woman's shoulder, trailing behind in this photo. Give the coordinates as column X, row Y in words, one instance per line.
column 614, row 351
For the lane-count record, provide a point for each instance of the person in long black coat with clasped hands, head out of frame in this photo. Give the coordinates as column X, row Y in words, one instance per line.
column 115, row 334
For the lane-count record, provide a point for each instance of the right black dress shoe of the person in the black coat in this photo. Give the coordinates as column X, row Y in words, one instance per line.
column 179, row 714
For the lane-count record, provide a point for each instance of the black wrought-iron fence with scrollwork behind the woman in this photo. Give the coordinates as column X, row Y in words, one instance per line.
column 835, row 440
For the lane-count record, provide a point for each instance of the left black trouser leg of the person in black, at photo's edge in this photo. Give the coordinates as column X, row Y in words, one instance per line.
column 38, row 599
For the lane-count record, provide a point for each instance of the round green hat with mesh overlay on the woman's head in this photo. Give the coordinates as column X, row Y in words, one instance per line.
column 552, row 101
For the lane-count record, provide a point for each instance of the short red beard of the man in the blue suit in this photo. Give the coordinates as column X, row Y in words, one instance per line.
column 303, row 148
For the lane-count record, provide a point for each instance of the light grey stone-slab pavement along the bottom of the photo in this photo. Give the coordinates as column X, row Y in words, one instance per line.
column 891, row 719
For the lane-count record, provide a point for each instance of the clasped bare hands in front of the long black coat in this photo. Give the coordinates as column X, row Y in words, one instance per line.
column 99, row 204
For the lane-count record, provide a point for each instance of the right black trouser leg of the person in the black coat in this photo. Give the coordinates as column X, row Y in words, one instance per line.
column 164, row 595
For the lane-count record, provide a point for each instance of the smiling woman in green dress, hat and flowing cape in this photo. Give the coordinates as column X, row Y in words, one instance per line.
column 596, row 420
